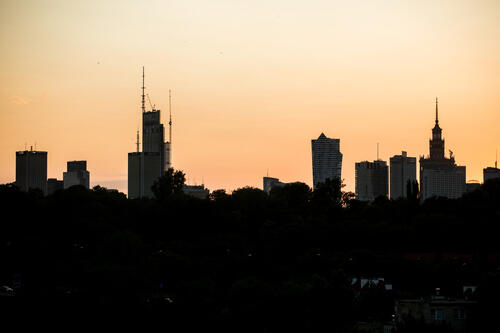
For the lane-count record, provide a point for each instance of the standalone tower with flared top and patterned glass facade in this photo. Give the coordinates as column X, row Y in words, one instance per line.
column 326, row 159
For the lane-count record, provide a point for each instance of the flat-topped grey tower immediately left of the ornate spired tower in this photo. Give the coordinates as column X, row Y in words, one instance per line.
column 403, row 170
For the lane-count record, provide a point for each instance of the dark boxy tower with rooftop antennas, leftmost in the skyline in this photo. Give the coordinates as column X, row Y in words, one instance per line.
column 31, row 170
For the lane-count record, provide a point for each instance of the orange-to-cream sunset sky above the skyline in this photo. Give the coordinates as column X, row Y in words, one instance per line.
column 252, row 81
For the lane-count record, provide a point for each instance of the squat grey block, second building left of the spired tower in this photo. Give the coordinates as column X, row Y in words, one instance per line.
column 371, row 180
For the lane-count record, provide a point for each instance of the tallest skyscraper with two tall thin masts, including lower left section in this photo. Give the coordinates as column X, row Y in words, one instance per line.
column 146, row 166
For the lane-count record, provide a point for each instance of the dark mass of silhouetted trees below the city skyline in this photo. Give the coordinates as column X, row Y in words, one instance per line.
column 244, row 261
